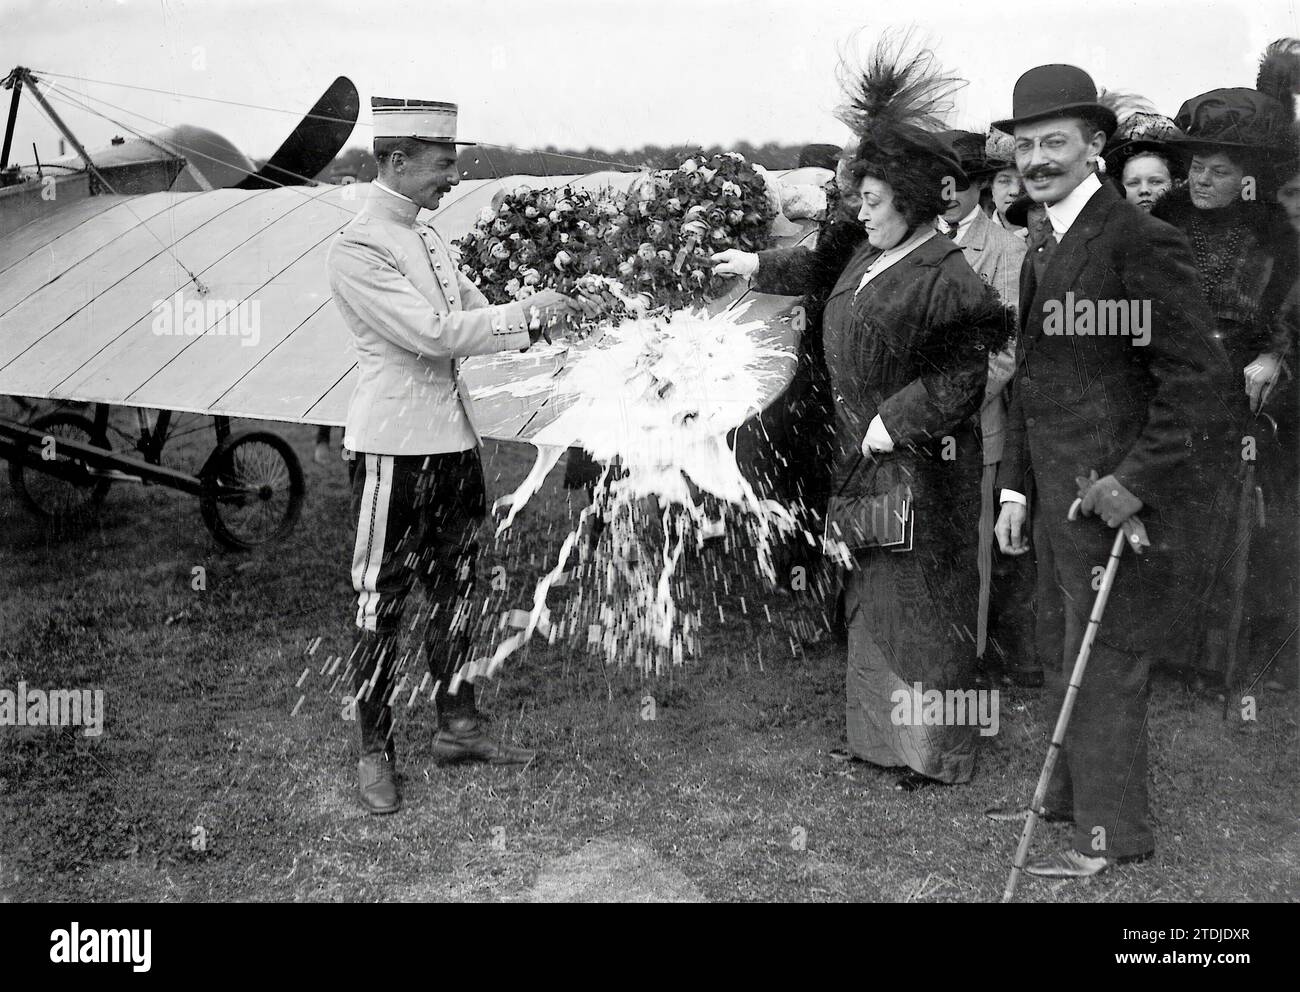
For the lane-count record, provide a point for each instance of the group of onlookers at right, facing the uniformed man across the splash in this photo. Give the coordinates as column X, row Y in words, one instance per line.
column 1146, row 272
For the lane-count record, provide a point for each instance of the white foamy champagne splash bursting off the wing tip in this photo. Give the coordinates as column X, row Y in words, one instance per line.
column 655, row 401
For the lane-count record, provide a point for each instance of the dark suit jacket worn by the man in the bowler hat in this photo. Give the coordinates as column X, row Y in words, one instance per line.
column 1106, row 404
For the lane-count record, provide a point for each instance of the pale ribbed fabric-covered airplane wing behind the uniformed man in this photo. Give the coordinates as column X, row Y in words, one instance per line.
column 118, row 300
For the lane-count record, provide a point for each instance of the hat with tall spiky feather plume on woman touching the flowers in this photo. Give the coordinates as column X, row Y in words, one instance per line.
column 896, row 105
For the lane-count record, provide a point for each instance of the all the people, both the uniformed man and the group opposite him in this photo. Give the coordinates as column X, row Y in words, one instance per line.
column 1019, row 341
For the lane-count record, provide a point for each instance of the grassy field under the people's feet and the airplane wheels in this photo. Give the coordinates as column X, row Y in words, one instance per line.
column 200, row 734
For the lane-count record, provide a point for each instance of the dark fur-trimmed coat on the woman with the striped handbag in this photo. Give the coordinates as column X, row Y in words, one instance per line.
column 913, row 348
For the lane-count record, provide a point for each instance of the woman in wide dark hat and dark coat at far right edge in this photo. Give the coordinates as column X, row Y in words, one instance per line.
column 1247, row 258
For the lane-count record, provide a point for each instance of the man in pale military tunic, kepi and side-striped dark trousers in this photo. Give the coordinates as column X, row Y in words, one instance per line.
column 418, row 487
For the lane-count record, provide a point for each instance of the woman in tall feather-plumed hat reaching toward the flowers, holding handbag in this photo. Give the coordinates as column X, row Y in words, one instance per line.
column 908, row 330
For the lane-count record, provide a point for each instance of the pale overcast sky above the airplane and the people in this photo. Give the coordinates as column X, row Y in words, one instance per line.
column 578, row 73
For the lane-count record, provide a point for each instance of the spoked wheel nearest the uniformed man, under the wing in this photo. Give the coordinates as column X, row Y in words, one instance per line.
column 253, row 491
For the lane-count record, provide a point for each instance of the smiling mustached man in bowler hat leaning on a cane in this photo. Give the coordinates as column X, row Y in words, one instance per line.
column 1111, row 405
